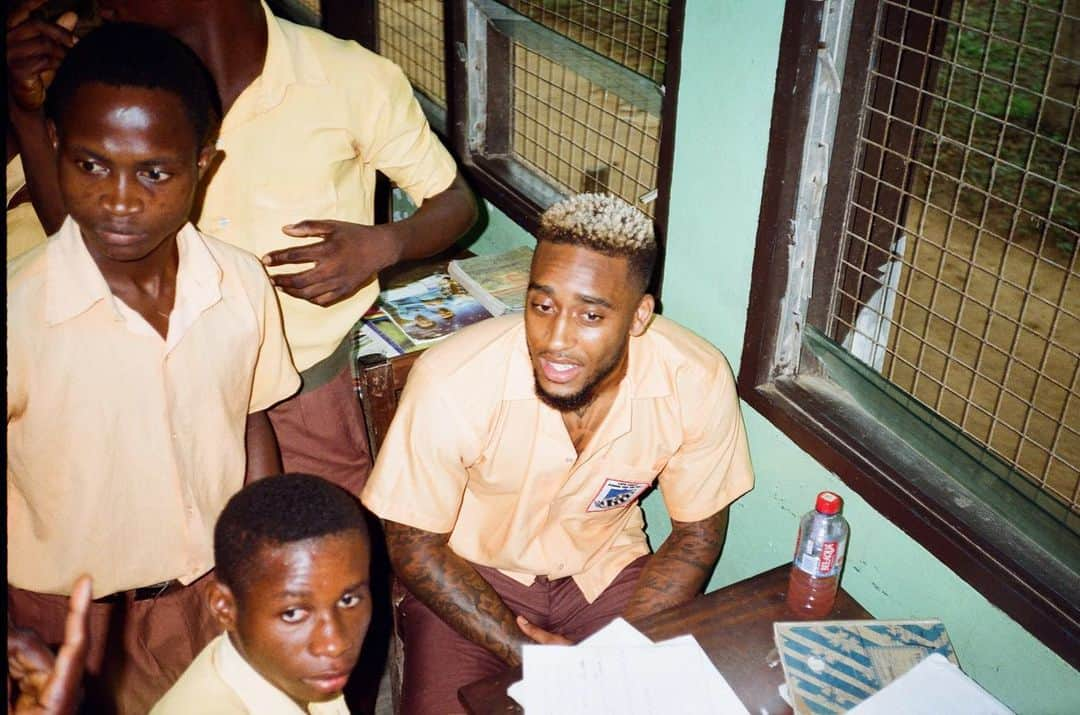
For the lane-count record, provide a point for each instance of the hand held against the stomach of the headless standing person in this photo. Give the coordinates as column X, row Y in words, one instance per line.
column 347, row 259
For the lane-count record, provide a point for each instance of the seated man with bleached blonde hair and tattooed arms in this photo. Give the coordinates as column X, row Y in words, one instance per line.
column 510, row 480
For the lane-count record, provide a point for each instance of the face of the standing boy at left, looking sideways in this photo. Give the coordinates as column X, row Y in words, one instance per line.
column 129, row 168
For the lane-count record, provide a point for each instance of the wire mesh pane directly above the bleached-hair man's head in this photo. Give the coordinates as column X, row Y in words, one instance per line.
column 582, row 137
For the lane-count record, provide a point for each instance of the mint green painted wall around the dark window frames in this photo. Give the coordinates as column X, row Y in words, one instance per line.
column 730, row 63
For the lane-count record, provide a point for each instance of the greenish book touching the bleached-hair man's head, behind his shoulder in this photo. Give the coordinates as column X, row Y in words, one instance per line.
column 498, row 281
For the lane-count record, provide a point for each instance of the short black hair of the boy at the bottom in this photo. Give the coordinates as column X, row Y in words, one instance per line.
column 280, row 510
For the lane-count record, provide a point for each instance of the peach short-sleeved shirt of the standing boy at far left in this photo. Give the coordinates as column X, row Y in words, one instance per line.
column 124, row 447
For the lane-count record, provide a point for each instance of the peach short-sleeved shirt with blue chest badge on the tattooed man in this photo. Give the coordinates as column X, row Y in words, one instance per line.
column 475, row 453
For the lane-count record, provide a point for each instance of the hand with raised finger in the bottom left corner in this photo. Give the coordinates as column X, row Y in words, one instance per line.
column 49, row 686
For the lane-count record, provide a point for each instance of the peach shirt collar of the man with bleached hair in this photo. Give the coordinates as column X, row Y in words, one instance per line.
column 645, row 375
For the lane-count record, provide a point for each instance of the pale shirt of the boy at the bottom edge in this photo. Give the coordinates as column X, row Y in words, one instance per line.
column 220, row 682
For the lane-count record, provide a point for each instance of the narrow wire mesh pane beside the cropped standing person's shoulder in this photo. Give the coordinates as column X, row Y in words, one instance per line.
column 411, row 34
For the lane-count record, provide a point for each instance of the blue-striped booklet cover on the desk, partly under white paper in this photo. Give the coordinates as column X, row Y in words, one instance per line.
column 831, row 667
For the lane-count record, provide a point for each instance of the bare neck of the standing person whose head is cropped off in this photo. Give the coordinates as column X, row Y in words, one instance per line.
column 231, row 38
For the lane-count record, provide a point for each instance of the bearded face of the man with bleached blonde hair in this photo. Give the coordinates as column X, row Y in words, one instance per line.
column 582, row 309
